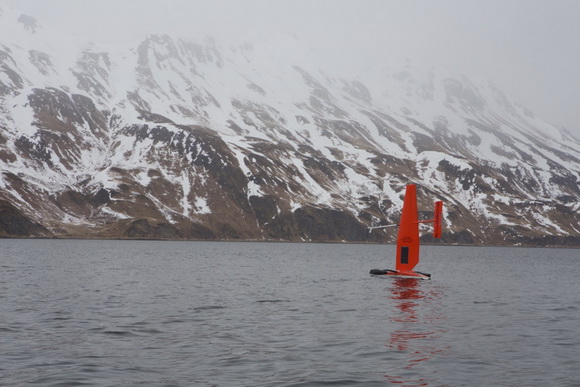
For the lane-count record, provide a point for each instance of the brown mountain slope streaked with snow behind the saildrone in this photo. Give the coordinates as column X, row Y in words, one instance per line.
column 187, row 138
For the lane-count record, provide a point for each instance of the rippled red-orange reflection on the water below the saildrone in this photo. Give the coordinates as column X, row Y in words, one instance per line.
column 413, row 329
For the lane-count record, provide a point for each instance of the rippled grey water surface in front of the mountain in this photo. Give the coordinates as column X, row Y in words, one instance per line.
column 124, row 313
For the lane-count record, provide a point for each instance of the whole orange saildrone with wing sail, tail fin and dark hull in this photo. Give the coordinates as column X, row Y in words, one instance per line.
column 408, row 238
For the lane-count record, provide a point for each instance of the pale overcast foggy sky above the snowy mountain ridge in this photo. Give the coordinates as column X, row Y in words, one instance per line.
column 529, row 48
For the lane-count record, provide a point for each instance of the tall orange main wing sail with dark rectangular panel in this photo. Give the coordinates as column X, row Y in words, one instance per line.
column 408, row 237
